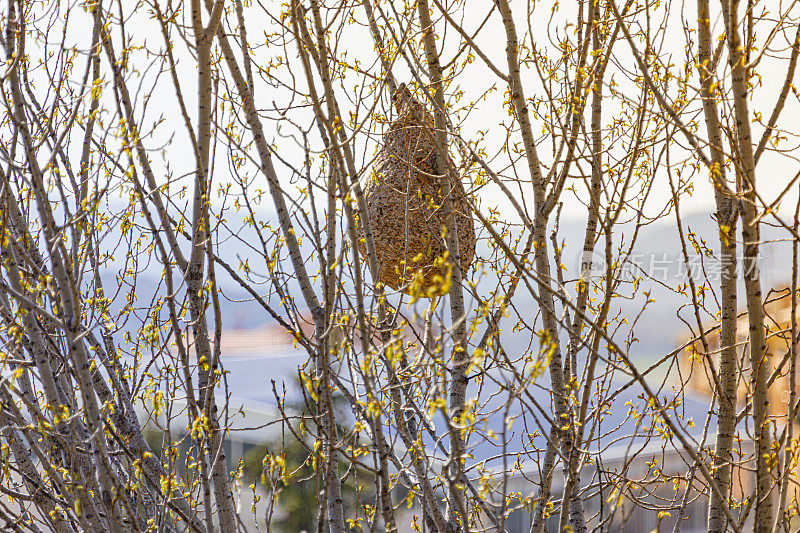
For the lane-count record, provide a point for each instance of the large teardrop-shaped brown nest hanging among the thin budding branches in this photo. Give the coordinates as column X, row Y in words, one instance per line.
column 406, row 206
